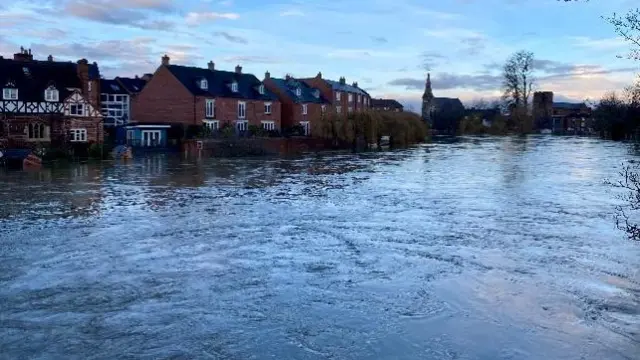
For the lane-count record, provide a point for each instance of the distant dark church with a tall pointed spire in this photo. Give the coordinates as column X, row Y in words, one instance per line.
column 442, row 114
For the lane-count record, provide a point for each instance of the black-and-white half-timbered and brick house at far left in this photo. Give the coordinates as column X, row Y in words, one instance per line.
column 49, row 103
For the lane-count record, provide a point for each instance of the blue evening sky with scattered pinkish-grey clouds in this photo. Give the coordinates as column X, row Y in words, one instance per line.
column 387, row 46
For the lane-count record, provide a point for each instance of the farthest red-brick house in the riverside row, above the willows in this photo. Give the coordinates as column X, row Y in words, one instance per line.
column 343, row 97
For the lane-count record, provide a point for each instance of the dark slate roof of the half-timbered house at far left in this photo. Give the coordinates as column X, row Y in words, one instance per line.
column 33, row 77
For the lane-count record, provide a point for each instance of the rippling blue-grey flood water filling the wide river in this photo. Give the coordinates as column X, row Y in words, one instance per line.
column 479, row 248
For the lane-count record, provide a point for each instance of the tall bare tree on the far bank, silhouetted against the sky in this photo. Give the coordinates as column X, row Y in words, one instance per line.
column 518, row 79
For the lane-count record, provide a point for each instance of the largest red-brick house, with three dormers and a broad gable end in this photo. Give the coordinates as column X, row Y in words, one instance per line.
column 185, row 97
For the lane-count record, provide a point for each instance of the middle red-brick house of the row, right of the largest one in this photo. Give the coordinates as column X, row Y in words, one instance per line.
column 301, row 104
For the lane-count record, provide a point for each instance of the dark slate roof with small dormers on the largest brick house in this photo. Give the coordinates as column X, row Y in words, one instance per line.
column 219, row 83
